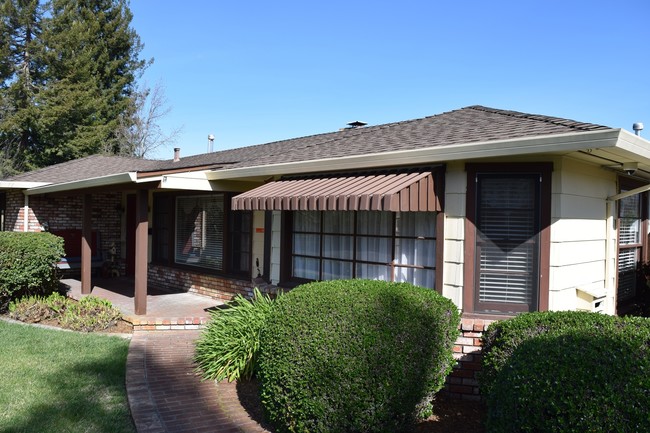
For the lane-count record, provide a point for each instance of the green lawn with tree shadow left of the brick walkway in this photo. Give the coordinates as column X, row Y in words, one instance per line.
column 57, row 381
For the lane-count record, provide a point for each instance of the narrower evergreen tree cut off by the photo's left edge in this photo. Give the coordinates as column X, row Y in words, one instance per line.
column 21, row 79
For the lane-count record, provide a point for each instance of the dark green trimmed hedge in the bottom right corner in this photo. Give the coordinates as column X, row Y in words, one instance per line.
column 567, row 372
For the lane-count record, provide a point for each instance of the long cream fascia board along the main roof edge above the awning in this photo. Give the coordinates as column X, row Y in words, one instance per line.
column 548, row 144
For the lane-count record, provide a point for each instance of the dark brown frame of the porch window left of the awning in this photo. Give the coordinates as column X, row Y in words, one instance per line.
column 227, row 249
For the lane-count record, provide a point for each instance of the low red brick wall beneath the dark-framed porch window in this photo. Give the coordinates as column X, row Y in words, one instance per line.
column 215, row 286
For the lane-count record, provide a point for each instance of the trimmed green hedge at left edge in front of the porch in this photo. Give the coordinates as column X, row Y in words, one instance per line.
column 27, row 265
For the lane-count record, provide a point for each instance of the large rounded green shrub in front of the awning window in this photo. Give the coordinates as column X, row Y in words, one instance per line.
column 354, row 355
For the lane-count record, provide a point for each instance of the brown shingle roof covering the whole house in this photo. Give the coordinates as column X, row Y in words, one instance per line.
column 467, row 125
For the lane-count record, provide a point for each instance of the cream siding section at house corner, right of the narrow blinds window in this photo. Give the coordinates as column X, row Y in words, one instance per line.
column 583, row 249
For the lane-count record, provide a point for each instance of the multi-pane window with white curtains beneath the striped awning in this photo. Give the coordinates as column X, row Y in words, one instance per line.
column 376, row 245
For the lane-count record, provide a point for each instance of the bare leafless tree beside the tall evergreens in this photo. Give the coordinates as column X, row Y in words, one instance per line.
column 139, row 133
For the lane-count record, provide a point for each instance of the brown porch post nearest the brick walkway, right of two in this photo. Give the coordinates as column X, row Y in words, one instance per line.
column 141, row 251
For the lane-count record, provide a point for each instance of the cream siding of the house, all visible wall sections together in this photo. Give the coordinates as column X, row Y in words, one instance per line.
column 583, row 249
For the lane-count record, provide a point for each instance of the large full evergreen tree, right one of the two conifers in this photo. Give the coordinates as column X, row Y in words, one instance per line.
column 93, row 61
